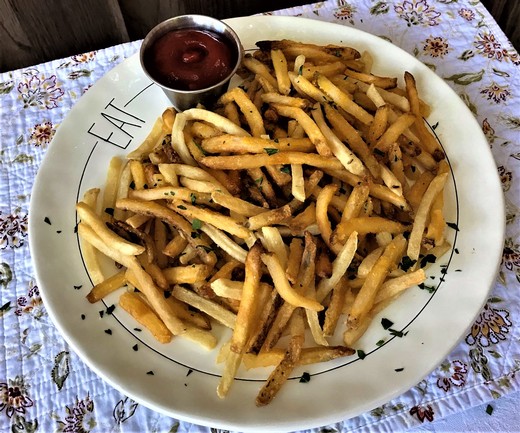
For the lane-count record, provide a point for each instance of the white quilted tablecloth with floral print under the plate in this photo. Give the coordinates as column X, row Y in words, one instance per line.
column 45, row 387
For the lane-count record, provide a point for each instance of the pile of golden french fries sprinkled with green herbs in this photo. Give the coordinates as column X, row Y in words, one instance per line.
column 291, row 212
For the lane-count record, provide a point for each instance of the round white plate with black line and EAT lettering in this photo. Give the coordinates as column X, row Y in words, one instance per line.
column 115, row 115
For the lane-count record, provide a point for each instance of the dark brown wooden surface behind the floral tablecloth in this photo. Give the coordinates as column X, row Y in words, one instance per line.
column 34, row 31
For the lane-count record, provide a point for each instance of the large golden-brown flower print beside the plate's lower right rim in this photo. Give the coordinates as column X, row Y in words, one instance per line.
column 490, row 327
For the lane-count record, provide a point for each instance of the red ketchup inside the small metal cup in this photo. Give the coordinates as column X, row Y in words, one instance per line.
column 190, row 59
